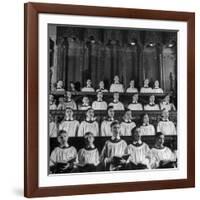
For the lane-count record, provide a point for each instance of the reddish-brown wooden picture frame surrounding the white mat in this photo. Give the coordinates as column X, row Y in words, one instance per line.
column 32, row 10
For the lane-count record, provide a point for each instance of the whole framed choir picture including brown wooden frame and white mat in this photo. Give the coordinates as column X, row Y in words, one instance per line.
column 109, row 100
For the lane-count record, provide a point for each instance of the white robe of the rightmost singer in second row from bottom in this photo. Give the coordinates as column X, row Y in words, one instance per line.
column 166, row 127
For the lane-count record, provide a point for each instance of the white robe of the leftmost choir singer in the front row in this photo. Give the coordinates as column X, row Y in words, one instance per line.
column 62, row 155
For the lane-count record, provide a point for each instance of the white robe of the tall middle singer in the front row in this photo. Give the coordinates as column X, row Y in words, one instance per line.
column 113, row 148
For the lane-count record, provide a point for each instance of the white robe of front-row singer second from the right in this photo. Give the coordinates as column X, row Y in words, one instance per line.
column 139, row 154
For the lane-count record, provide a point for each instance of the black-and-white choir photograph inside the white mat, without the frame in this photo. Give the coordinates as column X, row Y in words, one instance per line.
column 112, row 99
